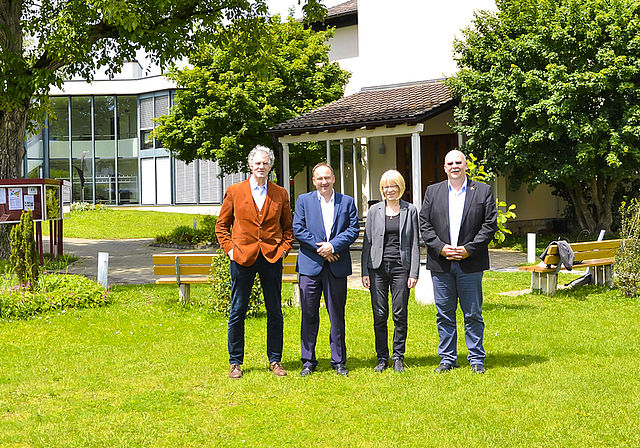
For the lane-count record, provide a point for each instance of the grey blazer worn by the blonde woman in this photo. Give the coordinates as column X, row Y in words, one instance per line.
column 372, row 247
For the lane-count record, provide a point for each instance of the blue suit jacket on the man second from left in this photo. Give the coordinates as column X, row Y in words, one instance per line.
column 308, row 229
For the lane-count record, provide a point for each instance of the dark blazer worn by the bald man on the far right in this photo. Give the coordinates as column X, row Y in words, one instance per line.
column 479, row 225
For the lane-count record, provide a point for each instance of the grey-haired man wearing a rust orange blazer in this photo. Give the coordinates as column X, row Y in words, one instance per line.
column 260, row 214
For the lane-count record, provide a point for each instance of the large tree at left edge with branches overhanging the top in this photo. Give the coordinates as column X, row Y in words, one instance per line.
column 45, row 42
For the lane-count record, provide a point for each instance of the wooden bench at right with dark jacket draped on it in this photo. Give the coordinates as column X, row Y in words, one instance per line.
column 598, row 255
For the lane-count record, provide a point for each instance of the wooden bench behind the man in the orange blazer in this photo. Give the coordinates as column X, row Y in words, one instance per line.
column 186, row 269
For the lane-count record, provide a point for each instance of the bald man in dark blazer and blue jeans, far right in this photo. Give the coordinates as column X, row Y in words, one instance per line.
column 458, row 220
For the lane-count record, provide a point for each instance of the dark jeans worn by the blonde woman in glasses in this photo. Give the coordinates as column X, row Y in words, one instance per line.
column 389, row 276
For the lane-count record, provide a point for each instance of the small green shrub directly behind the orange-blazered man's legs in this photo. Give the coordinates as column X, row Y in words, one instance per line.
column 219, row 298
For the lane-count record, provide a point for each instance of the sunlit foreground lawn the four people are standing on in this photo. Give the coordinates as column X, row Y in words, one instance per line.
column 145, row 372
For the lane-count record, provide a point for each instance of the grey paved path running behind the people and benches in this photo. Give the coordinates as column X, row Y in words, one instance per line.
column 130, row 260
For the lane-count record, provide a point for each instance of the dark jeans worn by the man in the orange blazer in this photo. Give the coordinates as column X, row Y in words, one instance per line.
column 242, row 278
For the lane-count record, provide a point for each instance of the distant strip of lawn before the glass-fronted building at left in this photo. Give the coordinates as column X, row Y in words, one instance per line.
column 121, row 224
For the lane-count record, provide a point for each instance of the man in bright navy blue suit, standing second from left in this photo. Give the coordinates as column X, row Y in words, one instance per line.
column 325, row 223
